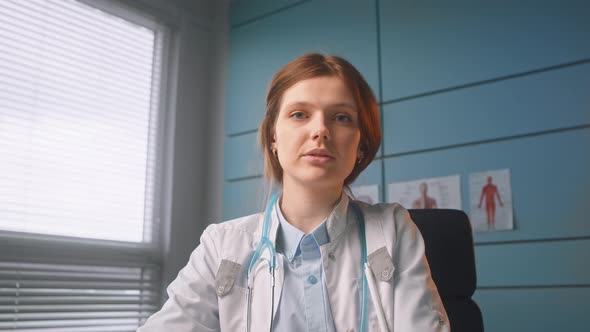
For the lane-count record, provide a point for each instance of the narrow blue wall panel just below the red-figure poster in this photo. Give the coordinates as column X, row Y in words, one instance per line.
column 533, row 263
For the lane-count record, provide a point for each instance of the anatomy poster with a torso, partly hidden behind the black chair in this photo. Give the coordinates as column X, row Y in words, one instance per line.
column 432, row 193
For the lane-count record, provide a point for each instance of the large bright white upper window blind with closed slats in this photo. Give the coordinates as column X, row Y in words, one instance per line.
column 79, row 102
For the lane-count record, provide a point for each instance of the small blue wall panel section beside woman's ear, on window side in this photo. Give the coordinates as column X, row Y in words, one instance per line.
column 243, row 156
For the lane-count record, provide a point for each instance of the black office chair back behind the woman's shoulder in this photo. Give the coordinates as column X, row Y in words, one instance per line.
column 449, row 249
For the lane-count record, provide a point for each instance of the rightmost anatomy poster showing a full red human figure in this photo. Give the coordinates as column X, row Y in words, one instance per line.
column 490, row 200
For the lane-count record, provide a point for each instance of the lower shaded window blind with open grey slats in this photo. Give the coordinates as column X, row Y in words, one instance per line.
column 67, row 297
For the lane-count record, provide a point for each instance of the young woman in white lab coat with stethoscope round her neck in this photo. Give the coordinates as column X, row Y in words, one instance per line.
column 315, row 260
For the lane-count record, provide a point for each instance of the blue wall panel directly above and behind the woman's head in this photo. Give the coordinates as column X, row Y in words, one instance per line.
column 260, row 48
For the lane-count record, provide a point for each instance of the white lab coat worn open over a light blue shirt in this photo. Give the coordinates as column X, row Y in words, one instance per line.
column 209, row 293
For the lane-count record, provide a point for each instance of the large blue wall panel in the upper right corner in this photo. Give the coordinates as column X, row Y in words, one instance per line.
column 432, row 45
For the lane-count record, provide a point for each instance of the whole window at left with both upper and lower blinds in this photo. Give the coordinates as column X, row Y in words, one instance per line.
column 80, row 178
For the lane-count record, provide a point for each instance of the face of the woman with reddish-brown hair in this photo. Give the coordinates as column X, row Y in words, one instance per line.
column 317, row 132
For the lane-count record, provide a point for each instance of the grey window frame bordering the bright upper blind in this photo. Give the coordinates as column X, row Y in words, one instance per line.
column 56, row 249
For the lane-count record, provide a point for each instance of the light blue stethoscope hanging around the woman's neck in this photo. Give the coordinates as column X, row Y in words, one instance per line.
column 367, row 280
